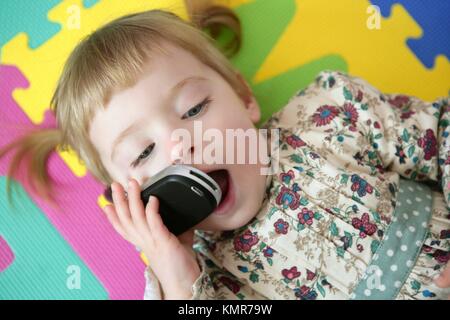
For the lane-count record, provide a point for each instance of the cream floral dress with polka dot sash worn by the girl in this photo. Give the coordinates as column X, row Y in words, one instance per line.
column 359, row 208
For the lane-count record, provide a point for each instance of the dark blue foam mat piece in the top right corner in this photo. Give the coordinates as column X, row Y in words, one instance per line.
column 432, row 16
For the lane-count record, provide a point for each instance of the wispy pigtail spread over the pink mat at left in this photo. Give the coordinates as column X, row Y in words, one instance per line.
column 34, row 149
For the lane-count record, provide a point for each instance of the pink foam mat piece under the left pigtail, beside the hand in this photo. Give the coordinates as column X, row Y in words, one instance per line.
column 82, row 224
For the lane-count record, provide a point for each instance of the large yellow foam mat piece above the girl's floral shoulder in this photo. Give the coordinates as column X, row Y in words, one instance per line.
column 380, row 56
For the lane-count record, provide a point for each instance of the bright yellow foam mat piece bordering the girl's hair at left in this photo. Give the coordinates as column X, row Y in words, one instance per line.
column 43, row 66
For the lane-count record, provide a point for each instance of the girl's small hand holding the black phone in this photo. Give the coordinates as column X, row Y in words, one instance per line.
column 171, row 258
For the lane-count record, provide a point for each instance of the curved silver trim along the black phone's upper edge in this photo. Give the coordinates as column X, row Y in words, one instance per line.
column 184, row 170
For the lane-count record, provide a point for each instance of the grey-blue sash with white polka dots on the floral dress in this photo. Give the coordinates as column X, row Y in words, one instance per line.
column 400, row 247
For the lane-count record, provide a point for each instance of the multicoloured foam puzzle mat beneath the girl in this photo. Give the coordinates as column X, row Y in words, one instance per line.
column 74, row 253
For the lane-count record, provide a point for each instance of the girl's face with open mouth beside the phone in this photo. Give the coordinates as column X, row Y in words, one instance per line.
column 157, row 113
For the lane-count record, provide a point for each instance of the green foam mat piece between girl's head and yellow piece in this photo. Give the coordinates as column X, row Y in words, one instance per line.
column 263, row 24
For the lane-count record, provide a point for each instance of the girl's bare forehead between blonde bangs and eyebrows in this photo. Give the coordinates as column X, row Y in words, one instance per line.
column 160, row 73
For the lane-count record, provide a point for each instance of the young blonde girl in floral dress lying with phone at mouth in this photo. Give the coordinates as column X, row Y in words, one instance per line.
column 345, row 217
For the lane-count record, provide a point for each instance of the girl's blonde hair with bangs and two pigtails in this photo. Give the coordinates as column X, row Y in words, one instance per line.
column 110, row 59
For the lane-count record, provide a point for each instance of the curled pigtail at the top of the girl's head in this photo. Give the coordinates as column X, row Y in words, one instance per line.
column 218, row 21
